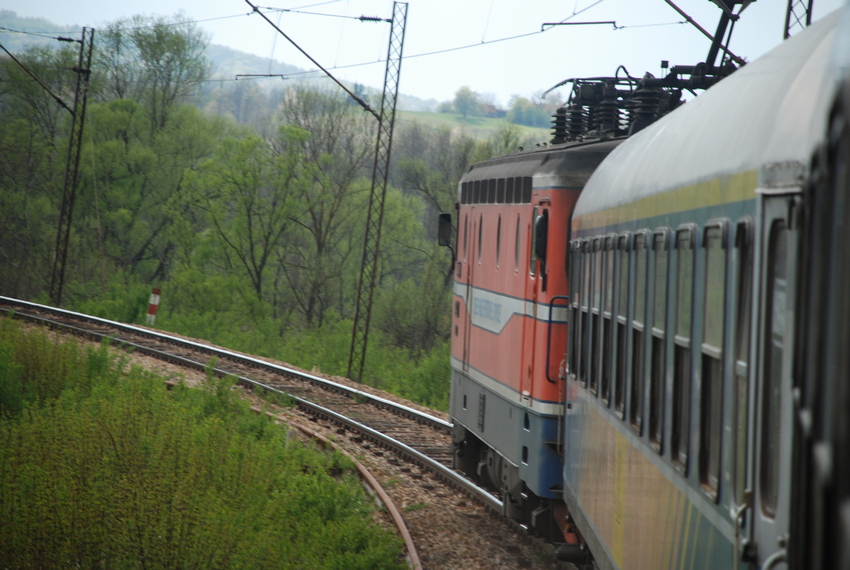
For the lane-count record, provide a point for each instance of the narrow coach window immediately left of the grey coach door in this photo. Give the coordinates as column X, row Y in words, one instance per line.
column 743, row 296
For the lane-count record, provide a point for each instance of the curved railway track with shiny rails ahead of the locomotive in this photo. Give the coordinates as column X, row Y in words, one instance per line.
column 413, row 435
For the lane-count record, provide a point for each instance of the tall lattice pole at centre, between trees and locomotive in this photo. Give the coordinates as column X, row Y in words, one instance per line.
column 375, row 213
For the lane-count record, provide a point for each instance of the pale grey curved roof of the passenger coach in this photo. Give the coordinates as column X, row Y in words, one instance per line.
column 767, row 113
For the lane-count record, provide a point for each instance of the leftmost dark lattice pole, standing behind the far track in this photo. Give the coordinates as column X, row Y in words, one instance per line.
column 72, row 165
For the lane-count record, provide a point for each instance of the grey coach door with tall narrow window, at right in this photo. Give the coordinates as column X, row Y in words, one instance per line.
column 773, row 397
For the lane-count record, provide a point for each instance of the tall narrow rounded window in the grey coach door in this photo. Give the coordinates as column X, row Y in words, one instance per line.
column 774, row 340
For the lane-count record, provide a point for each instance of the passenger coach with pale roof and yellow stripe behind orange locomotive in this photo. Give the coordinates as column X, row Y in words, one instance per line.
column 684, row 265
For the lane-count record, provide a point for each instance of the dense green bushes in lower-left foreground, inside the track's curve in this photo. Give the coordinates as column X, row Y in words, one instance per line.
column 119, row 471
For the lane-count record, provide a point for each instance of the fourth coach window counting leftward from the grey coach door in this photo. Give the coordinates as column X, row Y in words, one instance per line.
column 659, row 325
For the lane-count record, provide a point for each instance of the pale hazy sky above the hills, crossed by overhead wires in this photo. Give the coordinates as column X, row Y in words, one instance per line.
column 494, row 47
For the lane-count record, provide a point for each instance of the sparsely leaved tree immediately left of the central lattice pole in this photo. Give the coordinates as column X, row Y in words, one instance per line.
column 319, row 264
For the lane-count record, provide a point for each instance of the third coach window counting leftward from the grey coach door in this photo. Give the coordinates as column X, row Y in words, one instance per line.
column 682, row 347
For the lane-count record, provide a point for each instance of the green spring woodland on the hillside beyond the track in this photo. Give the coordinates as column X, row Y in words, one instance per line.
column 244, row 205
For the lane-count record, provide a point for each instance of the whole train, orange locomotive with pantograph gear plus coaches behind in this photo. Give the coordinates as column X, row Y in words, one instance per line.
column 650, row 319
